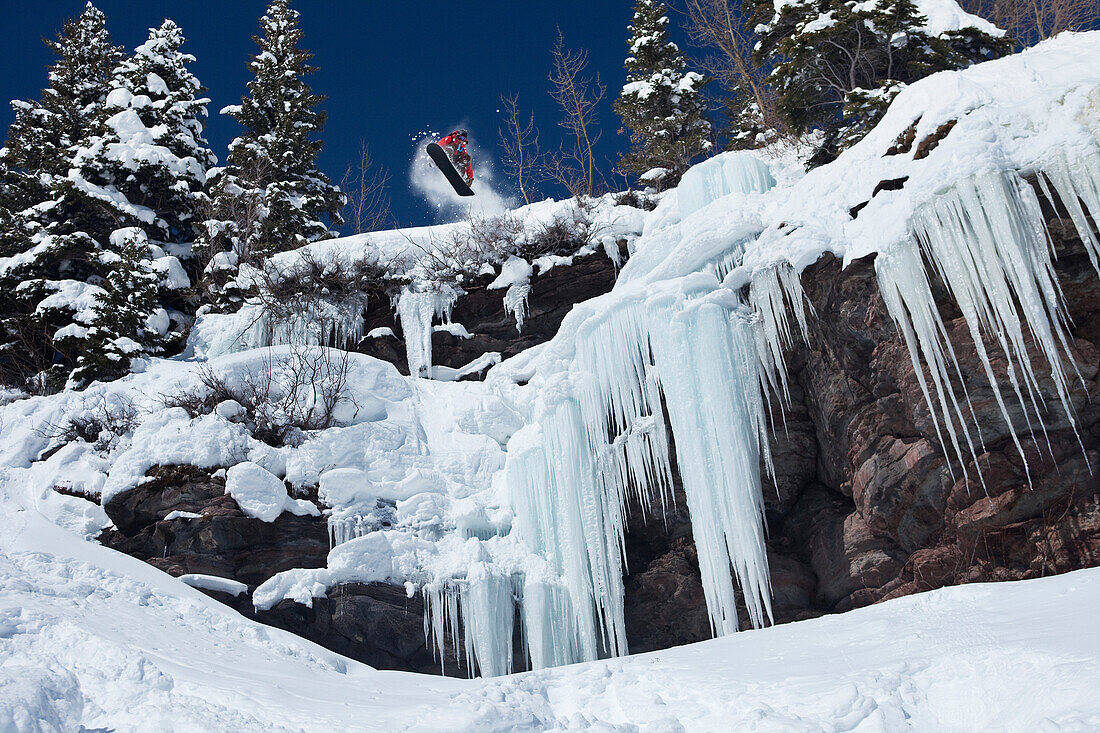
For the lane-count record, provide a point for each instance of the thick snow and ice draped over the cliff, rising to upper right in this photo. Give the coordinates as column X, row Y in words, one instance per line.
column 515, row 488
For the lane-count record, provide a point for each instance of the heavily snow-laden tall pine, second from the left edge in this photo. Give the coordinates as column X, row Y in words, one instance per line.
column 145, row 168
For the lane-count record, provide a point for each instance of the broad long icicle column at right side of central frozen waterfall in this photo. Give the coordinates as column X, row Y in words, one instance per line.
column 709, row 370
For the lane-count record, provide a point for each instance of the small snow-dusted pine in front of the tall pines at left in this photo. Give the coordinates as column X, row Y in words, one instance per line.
column 126, row 321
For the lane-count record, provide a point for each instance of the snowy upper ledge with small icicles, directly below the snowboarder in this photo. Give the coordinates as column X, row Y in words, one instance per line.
column 414, row 255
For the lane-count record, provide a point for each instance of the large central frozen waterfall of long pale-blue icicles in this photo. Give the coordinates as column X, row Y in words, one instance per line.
column 570, row 507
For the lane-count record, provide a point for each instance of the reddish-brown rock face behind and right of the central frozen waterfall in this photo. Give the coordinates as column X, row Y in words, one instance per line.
column 865, row 506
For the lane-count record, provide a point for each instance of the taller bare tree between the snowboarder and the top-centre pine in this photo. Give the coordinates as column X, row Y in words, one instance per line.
column 579, row 96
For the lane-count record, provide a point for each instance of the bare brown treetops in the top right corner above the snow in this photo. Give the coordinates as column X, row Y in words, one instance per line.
column 1031, row 21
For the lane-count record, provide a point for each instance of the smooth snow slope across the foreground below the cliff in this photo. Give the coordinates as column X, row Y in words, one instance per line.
column 97, row 640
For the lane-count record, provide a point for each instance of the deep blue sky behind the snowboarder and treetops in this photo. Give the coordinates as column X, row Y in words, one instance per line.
column 390, row 70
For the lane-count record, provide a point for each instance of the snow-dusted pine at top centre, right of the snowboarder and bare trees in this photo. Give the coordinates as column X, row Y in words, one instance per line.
column 661, row 104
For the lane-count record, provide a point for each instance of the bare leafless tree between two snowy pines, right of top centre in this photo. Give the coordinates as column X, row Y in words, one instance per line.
column 720, row 26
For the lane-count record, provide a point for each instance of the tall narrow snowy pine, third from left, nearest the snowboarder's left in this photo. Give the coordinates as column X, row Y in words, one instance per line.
column 271, row 198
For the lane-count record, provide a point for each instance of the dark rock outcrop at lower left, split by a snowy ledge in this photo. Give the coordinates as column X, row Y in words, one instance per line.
column 373, row 623
